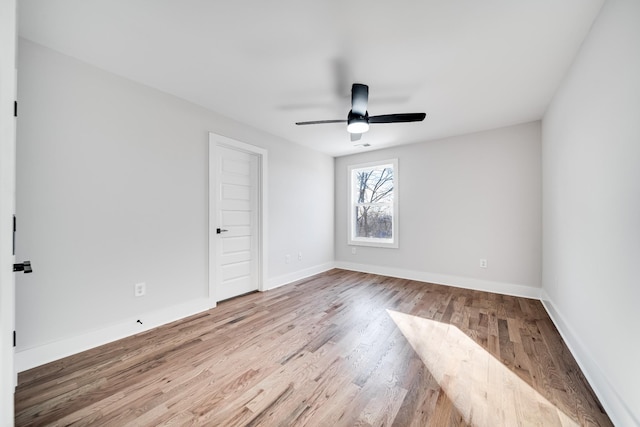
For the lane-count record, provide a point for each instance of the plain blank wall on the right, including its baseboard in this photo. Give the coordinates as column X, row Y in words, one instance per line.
column 591, row 187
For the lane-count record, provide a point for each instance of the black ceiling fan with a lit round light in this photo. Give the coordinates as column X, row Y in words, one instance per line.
column 358, row 119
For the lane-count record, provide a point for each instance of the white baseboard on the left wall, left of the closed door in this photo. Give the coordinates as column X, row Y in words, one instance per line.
column 36, row 356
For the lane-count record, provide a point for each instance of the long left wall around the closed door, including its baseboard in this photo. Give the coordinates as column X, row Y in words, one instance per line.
column 112, row 190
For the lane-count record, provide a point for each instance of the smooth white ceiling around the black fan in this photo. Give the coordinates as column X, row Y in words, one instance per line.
column 470, row 65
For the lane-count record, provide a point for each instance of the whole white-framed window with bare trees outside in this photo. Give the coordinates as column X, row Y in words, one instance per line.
column 373, row 210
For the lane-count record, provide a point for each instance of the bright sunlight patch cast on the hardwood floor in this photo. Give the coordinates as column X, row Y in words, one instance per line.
column 483, row 390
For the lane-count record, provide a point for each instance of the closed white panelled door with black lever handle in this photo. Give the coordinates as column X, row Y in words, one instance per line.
column 235, row 218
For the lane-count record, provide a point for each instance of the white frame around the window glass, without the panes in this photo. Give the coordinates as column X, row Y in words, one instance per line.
column 351, row 205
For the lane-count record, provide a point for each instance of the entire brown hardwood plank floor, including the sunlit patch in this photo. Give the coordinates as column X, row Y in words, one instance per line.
column 338, row 349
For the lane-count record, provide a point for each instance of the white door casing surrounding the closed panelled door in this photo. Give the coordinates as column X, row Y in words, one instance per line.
column 216, row 140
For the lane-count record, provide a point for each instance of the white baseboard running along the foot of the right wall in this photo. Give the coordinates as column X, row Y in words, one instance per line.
column 618, row 411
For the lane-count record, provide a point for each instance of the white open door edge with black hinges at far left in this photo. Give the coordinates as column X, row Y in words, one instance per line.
column 7, row 206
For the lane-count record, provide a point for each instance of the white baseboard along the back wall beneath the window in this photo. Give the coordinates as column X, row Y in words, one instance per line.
column 442, row 279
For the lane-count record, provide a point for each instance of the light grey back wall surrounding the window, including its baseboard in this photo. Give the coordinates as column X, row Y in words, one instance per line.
column 461, row 199
